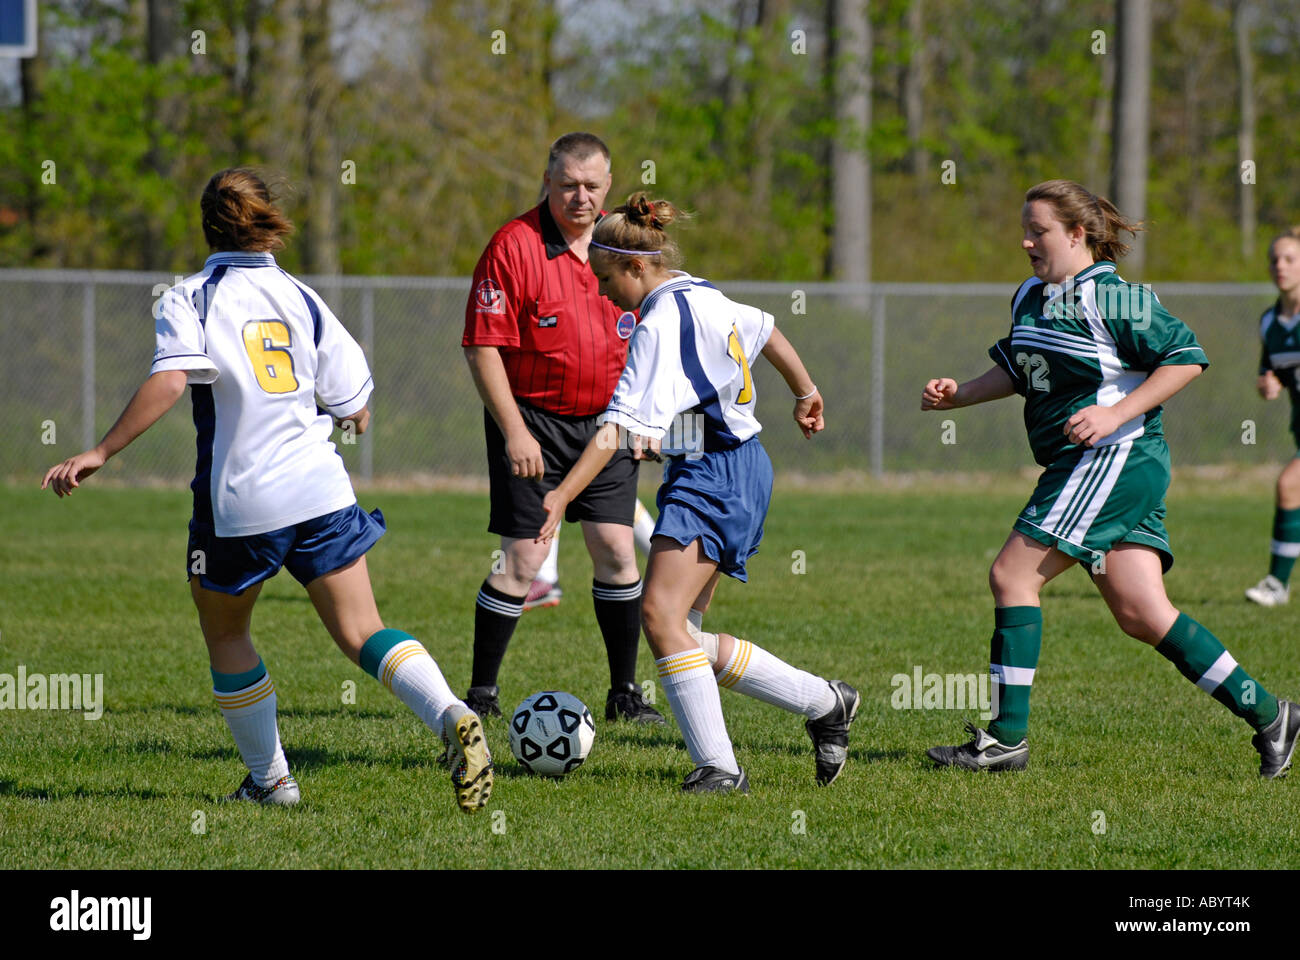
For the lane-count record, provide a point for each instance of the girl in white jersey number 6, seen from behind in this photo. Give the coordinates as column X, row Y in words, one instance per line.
column 258, row 351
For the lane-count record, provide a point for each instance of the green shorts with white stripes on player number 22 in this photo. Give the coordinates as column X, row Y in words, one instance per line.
column 1110, row 495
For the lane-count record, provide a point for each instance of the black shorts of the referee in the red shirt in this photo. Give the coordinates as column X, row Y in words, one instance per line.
column 517, row 504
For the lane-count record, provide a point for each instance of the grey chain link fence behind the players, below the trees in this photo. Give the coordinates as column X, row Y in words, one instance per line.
column 79, row 343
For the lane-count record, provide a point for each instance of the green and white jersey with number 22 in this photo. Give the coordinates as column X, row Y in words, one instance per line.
column 1090, row 341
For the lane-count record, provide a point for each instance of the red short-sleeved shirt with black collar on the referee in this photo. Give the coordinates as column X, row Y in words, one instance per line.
column 535, row 300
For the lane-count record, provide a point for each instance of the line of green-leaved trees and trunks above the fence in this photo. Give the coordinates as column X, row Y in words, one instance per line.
column 846, row 140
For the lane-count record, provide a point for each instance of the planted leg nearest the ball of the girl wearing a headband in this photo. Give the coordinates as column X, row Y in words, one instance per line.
column 675, row 577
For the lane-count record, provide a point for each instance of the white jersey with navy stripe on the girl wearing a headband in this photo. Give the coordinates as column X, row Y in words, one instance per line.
column 691, row 356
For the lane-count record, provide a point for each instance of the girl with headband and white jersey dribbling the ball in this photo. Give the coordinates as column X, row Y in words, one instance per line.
column 687, row 395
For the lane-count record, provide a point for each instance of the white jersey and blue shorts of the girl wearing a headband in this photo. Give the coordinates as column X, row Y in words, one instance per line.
column 688, row 384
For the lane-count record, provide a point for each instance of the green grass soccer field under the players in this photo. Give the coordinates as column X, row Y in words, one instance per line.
column 894, row 580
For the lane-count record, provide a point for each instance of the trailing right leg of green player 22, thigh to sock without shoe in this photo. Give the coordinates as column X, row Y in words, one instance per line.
column 1134, row 590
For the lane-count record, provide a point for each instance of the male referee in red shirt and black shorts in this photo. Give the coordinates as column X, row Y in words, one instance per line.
column 547, row 351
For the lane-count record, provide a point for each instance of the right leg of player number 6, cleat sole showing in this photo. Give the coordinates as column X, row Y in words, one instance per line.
column 345, row 603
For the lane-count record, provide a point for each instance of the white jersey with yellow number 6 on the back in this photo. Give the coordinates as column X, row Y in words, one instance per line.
column 259, row 349
